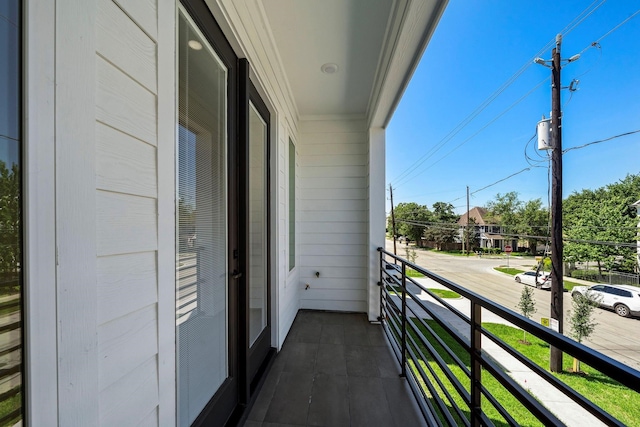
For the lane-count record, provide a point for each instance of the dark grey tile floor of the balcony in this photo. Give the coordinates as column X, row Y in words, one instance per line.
column 335, row 369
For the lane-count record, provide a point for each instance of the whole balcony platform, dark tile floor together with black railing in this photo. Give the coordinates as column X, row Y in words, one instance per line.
column 337, row 369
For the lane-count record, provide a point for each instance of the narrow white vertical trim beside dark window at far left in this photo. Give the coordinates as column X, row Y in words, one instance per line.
column 40, row 358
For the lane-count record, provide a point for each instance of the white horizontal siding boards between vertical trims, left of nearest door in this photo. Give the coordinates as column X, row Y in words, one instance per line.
column 126, row 201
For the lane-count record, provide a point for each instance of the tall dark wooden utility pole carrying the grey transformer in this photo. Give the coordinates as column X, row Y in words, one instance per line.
column 555, row 360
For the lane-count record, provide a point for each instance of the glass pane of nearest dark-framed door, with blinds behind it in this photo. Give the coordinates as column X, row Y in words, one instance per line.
column 201, row 223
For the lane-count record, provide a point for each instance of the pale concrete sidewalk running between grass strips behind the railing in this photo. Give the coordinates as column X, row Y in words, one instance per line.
column 562, row 406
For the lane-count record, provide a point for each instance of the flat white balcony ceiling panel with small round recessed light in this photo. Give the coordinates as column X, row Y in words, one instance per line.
column 349, row 33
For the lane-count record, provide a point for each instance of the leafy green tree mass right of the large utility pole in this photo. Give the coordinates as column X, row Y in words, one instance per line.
column 602, row 215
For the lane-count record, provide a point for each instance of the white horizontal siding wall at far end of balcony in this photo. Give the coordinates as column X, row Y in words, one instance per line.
column 333, row 214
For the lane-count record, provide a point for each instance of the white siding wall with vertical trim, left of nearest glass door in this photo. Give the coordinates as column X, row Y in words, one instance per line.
column 112, row 199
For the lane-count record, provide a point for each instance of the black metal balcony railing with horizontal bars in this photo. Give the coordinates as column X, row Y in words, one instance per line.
column 426, row 351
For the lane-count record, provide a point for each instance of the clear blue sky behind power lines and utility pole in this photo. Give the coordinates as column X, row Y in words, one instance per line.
column 479, row 46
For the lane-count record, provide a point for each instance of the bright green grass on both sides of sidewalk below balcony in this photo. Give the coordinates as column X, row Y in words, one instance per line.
column 619, row 401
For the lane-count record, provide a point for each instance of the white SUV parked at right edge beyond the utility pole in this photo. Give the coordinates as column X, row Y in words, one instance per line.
column 623, row 299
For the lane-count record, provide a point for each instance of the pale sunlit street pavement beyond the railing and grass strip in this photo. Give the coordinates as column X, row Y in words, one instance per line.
column 615, row 336
